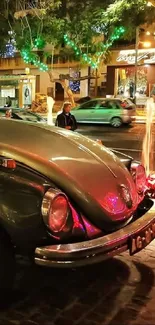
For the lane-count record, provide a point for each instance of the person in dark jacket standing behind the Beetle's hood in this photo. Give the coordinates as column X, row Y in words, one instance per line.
column 65, row 119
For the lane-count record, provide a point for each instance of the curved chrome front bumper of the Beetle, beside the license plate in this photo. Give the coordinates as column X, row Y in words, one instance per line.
column 95, row 250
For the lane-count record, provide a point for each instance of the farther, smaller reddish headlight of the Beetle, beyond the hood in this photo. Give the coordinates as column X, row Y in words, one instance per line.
column 139, row 176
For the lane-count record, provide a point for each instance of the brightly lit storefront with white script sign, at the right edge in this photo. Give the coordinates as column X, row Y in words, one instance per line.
column 121, row 73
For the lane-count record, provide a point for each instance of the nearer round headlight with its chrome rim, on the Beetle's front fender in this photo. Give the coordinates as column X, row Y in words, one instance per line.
column 55, row 210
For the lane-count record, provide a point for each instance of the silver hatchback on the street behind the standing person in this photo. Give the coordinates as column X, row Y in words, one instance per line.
column 109, row 111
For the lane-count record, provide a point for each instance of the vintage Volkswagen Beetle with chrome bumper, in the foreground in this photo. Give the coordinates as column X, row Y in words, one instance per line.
column 67, row 201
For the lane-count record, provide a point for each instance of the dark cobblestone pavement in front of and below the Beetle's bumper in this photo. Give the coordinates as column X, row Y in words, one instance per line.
column 120, row 291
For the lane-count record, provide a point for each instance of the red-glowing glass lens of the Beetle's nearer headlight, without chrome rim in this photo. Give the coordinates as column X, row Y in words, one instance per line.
column 58, row 213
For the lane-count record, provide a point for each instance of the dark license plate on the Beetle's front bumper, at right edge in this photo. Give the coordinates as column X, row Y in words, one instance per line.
column 142, row 239
